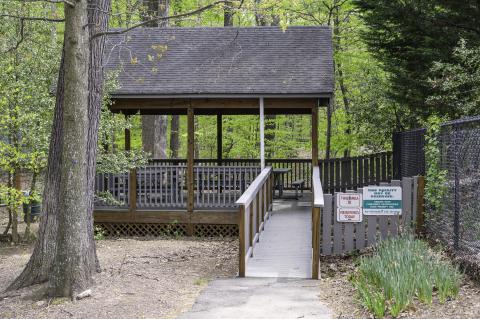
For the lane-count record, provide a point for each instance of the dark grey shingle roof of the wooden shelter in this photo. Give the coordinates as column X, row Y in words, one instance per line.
column 244, row 60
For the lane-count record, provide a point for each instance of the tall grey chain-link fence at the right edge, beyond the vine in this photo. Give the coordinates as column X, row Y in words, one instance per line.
column 456, row 222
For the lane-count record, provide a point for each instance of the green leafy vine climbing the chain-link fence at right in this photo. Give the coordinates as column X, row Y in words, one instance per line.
column 435, row 176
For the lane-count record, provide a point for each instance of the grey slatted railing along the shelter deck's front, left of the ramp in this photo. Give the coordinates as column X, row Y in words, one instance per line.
column 163, row 186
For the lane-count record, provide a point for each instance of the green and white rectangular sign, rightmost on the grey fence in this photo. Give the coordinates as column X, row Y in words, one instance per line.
column 382, row 200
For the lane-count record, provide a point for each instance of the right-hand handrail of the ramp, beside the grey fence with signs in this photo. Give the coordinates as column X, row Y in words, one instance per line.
column 318, row 203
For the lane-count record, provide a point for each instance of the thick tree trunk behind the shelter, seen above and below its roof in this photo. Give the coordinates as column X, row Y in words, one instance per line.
column 154, row 127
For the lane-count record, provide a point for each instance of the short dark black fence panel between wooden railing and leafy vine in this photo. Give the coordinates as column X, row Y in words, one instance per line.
column 409, row 153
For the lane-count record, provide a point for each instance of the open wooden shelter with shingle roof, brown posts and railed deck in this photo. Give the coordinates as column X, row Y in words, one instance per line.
column 213, row 71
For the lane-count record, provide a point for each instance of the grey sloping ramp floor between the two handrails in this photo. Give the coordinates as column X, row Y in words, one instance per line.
column 285, row 246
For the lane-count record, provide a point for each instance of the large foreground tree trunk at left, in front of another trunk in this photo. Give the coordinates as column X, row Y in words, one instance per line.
column 74, row 261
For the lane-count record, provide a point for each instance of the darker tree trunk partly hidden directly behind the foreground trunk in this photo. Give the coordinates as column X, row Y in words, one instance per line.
column 39, row 267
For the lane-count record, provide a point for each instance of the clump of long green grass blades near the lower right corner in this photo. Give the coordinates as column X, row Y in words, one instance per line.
column 401, row 270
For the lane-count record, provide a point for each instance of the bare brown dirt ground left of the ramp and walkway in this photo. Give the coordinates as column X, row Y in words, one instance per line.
column 141, row 278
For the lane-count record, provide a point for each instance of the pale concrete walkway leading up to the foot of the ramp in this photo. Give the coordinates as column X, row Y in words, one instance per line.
column 259, row 298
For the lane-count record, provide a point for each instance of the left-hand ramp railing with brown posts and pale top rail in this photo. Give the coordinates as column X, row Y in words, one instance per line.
column 254, row 206
